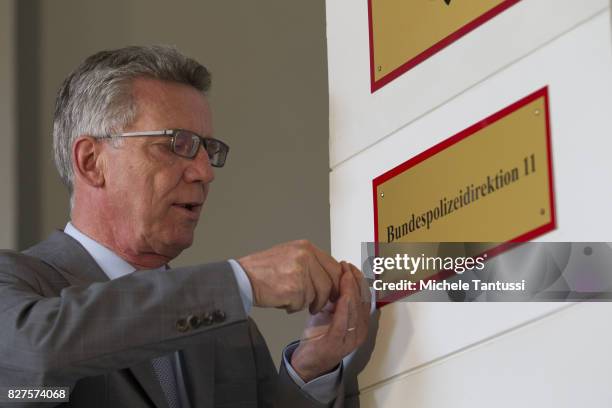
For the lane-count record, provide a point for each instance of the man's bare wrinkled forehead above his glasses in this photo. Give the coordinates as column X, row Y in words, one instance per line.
column 169, row 105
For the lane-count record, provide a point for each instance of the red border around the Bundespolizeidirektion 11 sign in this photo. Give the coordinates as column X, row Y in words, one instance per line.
column 527, row 236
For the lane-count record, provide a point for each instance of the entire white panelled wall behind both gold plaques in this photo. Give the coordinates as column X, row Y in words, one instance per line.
column 480, row 355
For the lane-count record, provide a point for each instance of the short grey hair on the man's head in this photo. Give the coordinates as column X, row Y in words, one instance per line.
column 96, row 98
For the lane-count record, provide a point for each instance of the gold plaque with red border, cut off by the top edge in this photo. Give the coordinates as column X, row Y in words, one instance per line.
column 404, row 33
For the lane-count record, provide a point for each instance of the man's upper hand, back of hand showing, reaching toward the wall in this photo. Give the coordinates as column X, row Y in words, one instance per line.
column 293, row 276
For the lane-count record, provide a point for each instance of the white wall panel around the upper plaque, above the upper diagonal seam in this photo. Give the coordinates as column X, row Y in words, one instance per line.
column 358, row 118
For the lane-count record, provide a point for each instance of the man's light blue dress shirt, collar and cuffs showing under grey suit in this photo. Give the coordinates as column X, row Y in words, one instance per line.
column 323, row 388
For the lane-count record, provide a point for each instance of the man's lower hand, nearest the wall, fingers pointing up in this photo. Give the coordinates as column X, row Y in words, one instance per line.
column 324, row 346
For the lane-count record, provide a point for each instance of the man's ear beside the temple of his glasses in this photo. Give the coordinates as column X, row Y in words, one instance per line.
column 88, row 165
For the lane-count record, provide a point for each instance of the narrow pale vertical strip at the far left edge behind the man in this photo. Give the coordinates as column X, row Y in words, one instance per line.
column 8, row 148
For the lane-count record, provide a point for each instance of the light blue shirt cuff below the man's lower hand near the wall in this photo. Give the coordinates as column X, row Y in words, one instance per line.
column 324, row 389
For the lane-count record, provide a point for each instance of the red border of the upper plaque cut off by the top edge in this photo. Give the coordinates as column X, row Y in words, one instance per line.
column 445, row 42
